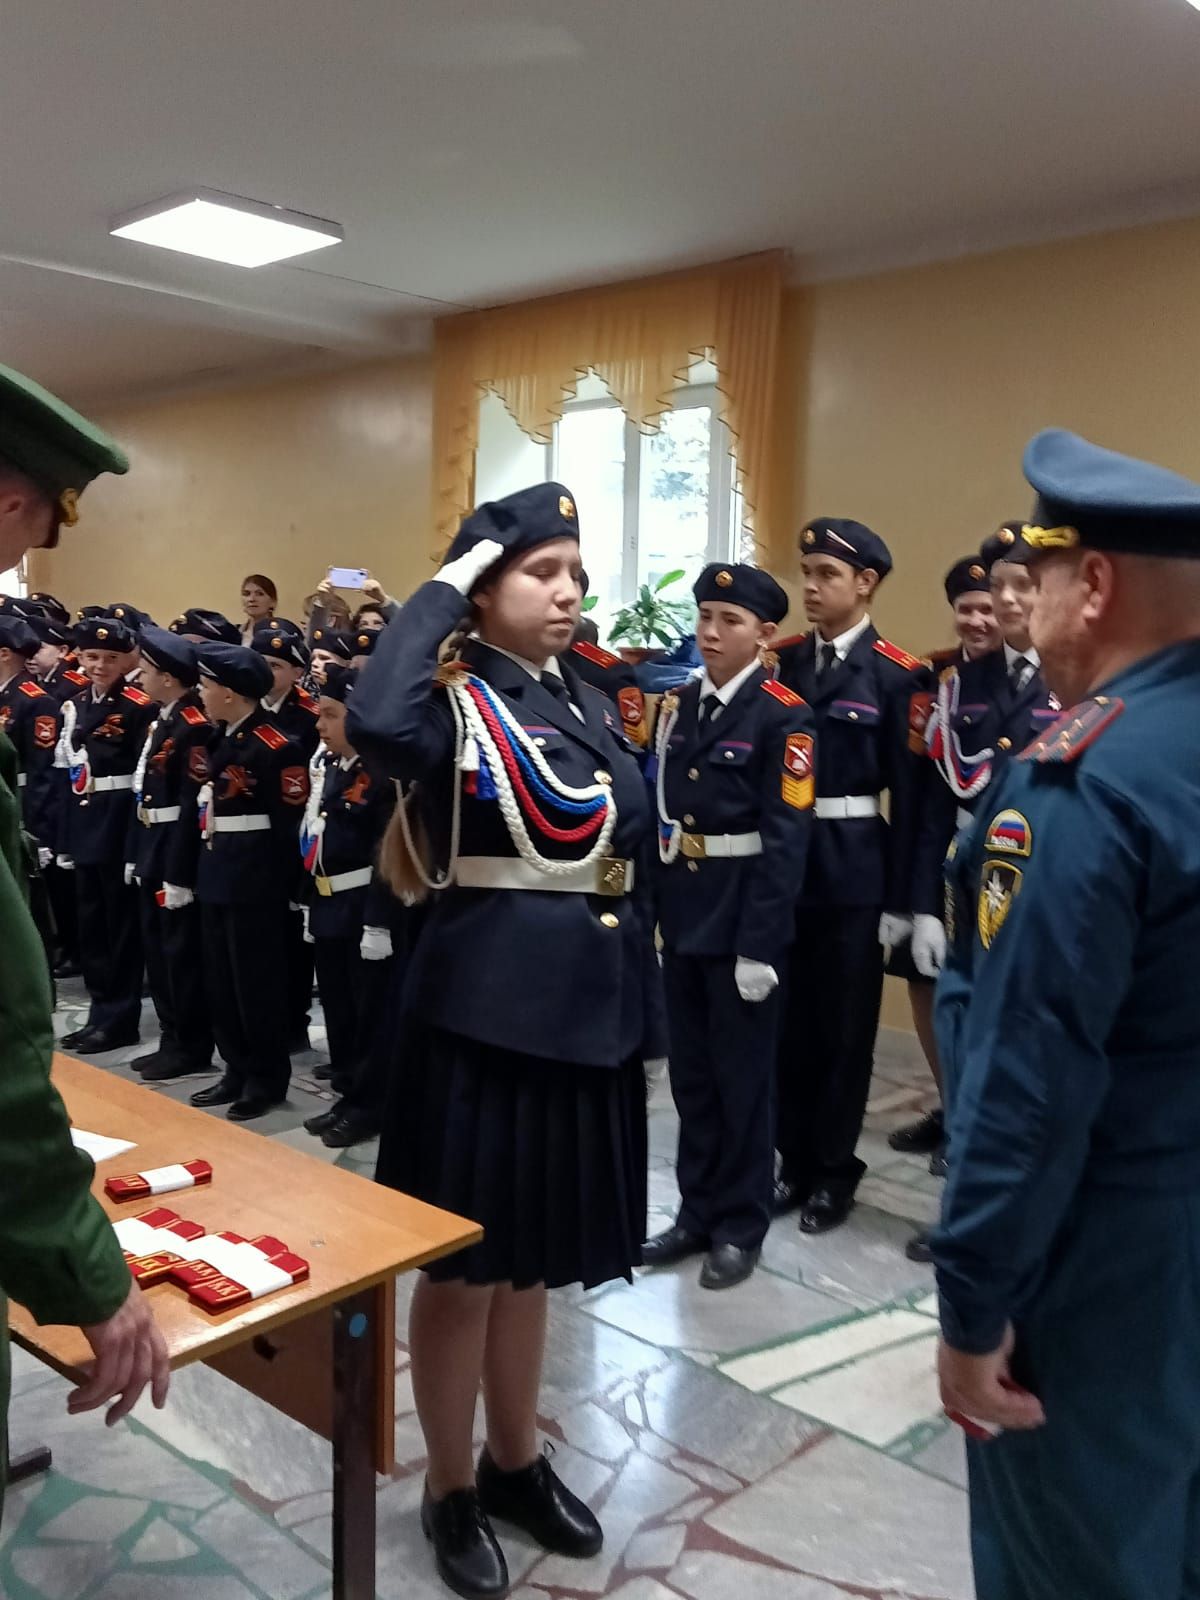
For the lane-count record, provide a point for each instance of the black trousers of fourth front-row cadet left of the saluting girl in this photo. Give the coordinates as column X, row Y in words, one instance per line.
column 110, row 946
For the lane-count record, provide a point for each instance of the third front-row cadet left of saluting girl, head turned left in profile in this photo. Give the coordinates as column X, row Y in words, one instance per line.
column 164, row 849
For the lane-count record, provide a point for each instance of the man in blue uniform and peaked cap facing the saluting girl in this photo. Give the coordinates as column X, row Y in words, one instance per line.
column 1070, row 1028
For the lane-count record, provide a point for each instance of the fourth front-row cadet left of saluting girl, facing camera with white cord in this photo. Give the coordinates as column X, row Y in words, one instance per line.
column 102, row 737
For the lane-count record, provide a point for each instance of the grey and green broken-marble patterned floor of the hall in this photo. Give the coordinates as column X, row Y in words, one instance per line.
column 780, row 1442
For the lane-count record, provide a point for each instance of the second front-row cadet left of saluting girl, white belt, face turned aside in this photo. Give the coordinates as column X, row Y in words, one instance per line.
column 250, row 799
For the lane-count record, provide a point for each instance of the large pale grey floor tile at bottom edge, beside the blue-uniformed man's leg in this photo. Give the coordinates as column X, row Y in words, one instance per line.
column 852, row 1516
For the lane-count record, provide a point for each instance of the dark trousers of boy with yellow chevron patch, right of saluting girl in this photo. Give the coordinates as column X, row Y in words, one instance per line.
column 722, row 1063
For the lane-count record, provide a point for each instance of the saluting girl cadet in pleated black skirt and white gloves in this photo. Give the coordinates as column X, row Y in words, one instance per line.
column 530, row 994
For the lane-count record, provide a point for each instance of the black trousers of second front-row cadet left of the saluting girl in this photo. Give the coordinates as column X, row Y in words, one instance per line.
column 247, row 982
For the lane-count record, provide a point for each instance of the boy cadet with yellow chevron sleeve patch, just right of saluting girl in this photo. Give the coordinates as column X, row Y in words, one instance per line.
column 735, row 804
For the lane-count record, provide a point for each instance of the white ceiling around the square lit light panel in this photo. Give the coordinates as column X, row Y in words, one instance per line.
column 479, row 151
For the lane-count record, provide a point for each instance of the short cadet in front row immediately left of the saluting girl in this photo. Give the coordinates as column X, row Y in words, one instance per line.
column 354, row 922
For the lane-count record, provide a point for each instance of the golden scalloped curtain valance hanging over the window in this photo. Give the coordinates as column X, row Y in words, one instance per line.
column 641, row 338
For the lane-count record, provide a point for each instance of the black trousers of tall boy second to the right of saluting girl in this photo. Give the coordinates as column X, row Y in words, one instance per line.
column 828, row 1044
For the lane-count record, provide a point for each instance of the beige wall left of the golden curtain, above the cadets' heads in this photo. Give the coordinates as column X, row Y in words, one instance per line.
column 284, row 479
